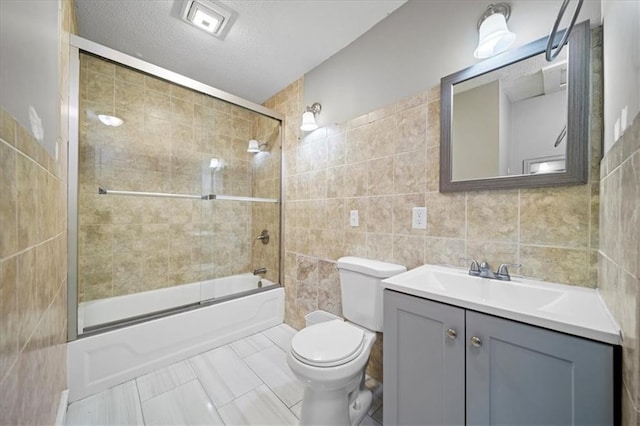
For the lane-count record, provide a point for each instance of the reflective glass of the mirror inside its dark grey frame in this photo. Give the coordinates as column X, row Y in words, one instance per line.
column 511, row 121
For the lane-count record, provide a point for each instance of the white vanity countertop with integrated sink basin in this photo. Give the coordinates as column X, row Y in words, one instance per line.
column 573, row 310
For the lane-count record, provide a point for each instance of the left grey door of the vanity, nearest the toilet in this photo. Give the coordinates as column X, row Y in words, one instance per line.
column 423, row 362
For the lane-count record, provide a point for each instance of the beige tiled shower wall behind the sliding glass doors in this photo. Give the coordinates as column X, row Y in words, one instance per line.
column 169, row 135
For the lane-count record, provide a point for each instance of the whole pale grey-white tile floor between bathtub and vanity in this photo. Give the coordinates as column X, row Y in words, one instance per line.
column 247, row 382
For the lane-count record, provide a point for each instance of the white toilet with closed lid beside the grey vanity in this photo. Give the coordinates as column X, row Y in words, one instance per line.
column 330, row 358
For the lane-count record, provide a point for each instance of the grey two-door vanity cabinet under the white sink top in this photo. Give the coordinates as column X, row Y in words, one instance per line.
column 445, row 365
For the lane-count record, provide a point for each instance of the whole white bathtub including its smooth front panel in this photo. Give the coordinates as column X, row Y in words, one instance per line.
column 101, row 361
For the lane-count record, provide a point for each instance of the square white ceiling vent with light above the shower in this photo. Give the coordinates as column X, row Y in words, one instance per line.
column 208, row 16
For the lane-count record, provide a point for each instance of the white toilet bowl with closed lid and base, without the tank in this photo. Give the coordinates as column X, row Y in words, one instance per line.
column 330, row 359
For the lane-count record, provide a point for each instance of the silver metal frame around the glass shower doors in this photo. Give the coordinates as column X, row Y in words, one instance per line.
column 78, row 44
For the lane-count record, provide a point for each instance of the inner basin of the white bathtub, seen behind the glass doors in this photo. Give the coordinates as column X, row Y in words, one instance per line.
column 110, row 309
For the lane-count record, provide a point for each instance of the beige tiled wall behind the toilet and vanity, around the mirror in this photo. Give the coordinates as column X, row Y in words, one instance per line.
column 386, row 162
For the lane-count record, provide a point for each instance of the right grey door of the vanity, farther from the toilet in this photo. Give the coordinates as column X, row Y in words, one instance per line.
column 518, row 374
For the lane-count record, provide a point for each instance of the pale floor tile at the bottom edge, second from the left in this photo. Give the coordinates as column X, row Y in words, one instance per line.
column 187, row 404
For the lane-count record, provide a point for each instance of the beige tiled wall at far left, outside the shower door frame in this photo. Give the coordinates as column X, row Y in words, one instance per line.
column 33, row 262
